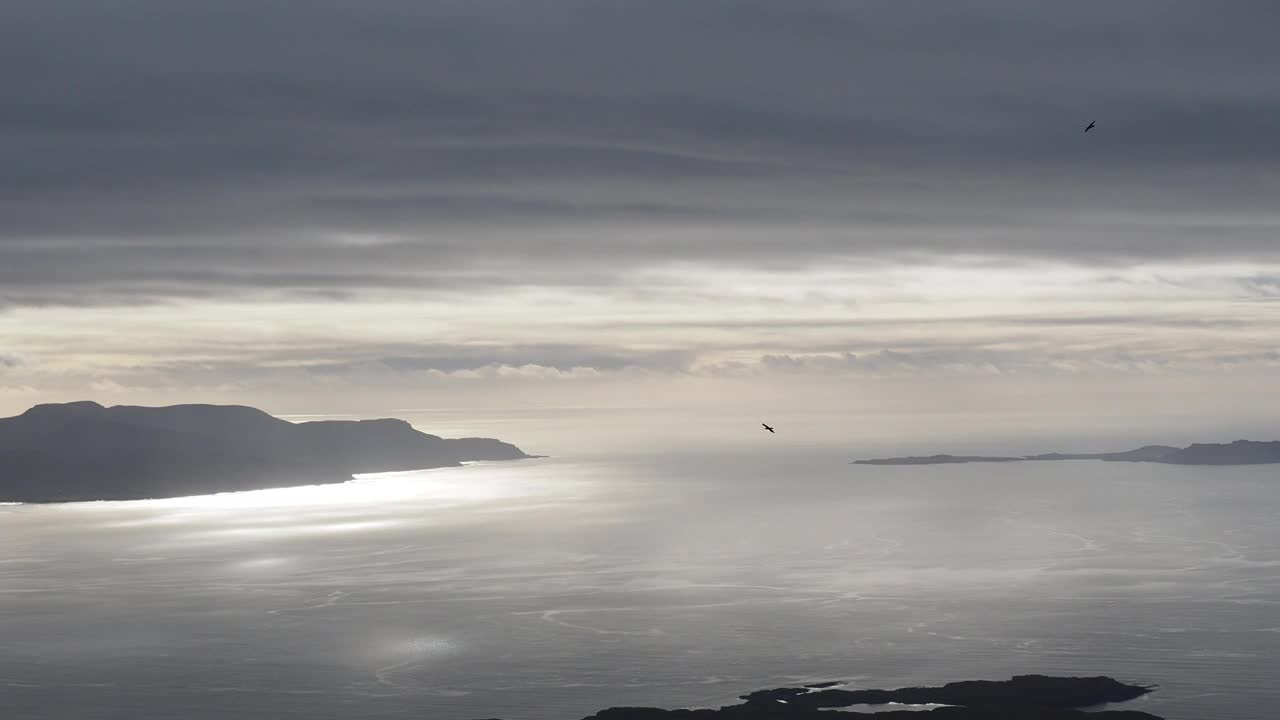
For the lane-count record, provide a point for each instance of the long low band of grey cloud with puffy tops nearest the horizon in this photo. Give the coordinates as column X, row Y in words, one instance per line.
column 445, row 364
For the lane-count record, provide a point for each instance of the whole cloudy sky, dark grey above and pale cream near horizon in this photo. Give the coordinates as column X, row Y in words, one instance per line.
column 816, row 206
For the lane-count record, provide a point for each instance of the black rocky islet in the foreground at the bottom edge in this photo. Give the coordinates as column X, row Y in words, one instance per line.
column 1026, row 698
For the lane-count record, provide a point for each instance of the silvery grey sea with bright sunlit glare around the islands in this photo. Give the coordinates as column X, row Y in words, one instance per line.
column 666, row 575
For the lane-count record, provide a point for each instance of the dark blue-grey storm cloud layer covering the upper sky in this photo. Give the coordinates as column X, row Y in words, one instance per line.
column 176, row 149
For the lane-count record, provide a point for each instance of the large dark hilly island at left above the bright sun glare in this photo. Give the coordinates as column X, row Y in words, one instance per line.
column 81, row 452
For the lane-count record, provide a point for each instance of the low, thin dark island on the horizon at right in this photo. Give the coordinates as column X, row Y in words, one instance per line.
column 1240, row 453
